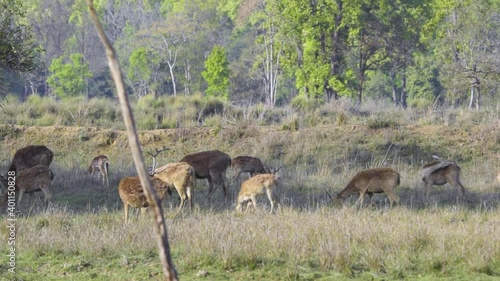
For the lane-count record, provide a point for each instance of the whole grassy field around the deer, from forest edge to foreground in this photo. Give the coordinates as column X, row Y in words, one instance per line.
column 82, row 235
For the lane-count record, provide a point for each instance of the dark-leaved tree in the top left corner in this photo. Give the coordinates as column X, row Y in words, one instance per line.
column 19, row 52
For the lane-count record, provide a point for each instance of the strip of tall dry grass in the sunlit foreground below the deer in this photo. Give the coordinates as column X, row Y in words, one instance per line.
column 395, row 243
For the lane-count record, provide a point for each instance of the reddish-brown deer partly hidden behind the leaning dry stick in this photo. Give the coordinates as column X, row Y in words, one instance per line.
column 132, row 193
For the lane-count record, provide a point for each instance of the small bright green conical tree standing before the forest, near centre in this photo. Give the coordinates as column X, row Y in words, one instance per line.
column 216, row 73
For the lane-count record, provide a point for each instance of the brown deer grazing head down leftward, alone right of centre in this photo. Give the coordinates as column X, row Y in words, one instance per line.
column 371, row 181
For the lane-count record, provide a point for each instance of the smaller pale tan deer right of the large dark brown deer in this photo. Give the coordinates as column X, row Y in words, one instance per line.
column 257, row 185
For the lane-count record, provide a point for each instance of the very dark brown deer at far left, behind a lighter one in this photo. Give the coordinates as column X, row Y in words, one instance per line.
column 31, row 156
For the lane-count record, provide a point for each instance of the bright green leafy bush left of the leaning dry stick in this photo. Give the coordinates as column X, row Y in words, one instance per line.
column 69, row 79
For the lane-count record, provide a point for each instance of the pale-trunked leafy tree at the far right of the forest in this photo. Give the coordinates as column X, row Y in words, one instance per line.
column 470, row 46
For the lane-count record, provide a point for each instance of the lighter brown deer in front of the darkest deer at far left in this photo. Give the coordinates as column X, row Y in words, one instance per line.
column 34, row 179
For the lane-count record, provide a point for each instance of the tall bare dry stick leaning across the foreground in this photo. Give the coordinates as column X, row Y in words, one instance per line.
column 153, row 200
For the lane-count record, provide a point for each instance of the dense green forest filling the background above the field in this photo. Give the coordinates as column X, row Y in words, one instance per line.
column 407, row 52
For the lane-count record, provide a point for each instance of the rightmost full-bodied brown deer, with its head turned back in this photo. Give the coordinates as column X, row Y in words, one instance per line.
column 441, row 172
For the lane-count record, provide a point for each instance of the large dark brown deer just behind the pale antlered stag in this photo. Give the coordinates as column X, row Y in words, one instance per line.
column 210, row 165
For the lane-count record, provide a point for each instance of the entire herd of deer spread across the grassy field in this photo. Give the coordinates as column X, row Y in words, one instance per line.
column 32, row 173
